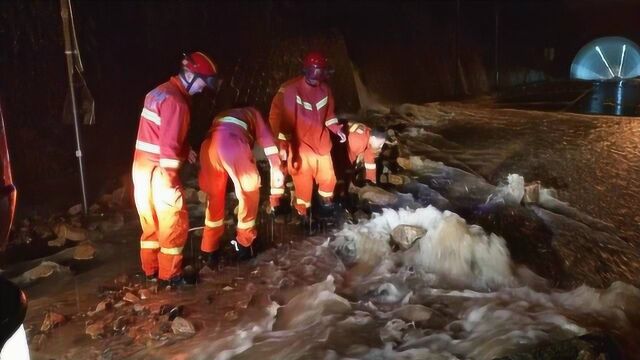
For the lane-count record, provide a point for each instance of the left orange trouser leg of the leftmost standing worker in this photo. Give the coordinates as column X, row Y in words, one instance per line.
column 141, row 173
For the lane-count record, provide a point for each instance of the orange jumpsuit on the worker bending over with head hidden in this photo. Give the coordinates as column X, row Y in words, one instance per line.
column 227, row 152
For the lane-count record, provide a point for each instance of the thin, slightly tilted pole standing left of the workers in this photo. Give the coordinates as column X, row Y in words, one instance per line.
column 69, row 51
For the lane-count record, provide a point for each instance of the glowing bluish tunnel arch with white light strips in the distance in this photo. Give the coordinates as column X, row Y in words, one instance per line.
column 607, row 58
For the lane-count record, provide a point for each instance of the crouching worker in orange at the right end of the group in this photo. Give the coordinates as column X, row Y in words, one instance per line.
column 364, row 144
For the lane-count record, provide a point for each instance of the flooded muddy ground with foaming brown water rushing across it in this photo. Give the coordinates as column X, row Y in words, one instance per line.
column 490, row 277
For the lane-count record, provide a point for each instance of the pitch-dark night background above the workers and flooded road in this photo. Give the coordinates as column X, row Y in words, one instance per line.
column 404, row 49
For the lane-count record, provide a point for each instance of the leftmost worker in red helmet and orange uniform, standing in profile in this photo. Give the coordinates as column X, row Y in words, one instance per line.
column 161, row 148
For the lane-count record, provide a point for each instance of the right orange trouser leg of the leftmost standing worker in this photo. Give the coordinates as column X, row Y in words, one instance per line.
column 173, row 225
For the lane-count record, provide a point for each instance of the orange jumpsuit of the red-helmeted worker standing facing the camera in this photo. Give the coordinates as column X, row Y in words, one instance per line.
column 302, row 116
